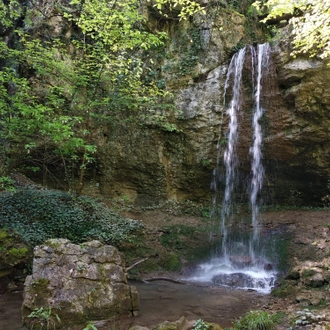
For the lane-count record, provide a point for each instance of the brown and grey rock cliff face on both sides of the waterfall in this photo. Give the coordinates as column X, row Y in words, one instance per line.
column 174, row 157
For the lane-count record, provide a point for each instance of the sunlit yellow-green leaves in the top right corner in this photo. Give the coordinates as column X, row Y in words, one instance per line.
column 310, row 22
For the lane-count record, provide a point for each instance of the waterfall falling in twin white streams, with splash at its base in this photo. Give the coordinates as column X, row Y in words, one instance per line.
column 241, row 262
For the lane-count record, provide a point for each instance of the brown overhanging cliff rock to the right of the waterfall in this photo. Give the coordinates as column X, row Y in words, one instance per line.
column 303, row 134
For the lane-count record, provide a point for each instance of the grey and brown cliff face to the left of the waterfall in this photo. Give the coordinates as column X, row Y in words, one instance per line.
column 150, row 164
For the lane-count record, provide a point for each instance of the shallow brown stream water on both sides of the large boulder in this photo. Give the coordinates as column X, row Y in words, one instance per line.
column 161, row 301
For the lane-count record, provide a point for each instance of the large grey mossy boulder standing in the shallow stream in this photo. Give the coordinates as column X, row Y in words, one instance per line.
column 76, row 284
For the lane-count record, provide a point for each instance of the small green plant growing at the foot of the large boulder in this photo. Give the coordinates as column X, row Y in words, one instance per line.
column 43, row 318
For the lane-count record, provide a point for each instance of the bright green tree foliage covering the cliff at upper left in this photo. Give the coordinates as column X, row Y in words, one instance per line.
column 60, row 95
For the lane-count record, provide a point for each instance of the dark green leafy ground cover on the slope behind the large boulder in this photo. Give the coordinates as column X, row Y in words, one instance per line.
column 38, row 215
